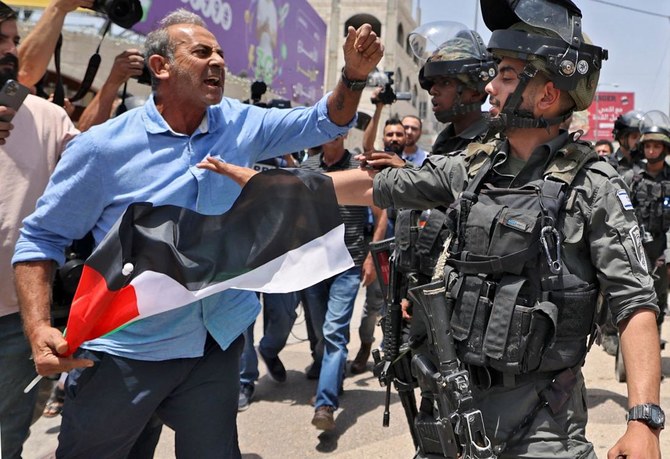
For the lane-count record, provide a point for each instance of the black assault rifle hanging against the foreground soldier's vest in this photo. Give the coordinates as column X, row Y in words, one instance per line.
column 456, row 428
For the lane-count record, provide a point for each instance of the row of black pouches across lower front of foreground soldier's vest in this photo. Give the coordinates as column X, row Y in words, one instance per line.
column 499, row 325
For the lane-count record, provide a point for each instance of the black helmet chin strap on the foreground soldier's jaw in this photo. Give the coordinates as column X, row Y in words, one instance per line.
column 511, row 116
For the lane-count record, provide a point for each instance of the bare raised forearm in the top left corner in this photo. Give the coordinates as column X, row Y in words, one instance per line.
column 37, row 48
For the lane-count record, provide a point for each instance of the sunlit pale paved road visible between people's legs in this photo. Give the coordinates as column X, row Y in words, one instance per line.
column 277, row 424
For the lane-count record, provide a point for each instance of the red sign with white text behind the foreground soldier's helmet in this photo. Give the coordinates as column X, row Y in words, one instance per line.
column 604, row 109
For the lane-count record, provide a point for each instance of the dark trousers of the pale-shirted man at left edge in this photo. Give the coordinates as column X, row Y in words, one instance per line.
column 16, row 372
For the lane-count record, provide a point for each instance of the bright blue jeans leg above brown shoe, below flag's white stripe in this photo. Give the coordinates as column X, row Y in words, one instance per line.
column 331, row 305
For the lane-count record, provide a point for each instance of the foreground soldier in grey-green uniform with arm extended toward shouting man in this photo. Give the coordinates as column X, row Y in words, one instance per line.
column 538, row 227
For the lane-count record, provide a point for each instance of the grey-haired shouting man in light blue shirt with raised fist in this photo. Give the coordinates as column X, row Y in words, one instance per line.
column 182, row 365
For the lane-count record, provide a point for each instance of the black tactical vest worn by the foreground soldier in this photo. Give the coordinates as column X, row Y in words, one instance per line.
column 517, row 308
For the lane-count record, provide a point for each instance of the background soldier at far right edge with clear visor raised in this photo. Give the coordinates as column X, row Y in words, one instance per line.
column 649, row 184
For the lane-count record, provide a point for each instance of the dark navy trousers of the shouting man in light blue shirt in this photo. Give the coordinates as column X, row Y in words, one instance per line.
column 108, row 405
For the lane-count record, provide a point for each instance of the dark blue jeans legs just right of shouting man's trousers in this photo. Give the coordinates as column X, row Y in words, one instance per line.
column 278, row 317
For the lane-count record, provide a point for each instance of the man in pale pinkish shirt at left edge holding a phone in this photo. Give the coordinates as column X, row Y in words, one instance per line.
column 30, row 147
